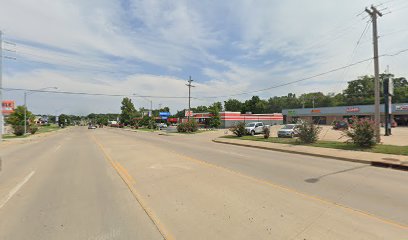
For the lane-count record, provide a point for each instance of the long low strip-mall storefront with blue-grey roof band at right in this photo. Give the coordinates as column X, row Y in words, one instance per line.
column 326, row 115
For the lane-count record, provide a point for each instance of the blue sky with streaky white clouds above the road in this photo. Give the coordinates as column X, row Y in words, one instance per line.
column 150, row 48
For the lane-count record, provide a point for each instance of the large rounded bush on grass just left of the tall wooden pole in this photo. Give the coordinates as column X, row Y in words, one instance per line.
column 362, row 132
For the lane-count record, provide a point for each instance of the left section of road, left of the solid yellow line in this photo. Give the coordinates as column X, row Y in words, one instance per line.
column 61, row 187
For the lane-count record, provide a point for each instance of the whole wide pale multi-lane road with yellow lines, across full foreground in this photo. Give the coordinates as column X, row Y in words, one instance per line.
column 115, row 184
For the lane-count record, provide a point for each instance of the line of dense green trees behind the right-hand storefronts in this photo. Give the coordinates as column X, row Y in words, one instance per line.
column 357, row 92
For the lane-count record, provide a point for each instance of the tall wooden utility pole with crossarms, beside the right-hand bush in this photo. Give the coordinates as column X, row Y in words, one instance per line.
column 377, row 118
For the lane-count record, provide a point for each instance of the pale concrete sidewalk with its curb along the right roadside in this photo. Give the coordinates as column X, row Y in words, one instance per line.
column 378, row 159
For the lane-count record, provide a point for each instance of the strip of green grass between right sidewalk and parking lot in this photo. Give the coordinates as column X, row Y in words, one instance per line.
column 380, row 148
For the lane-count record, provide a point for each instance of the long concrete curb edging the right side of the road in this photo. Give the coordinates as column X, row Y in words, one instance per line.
column 373, row 163
